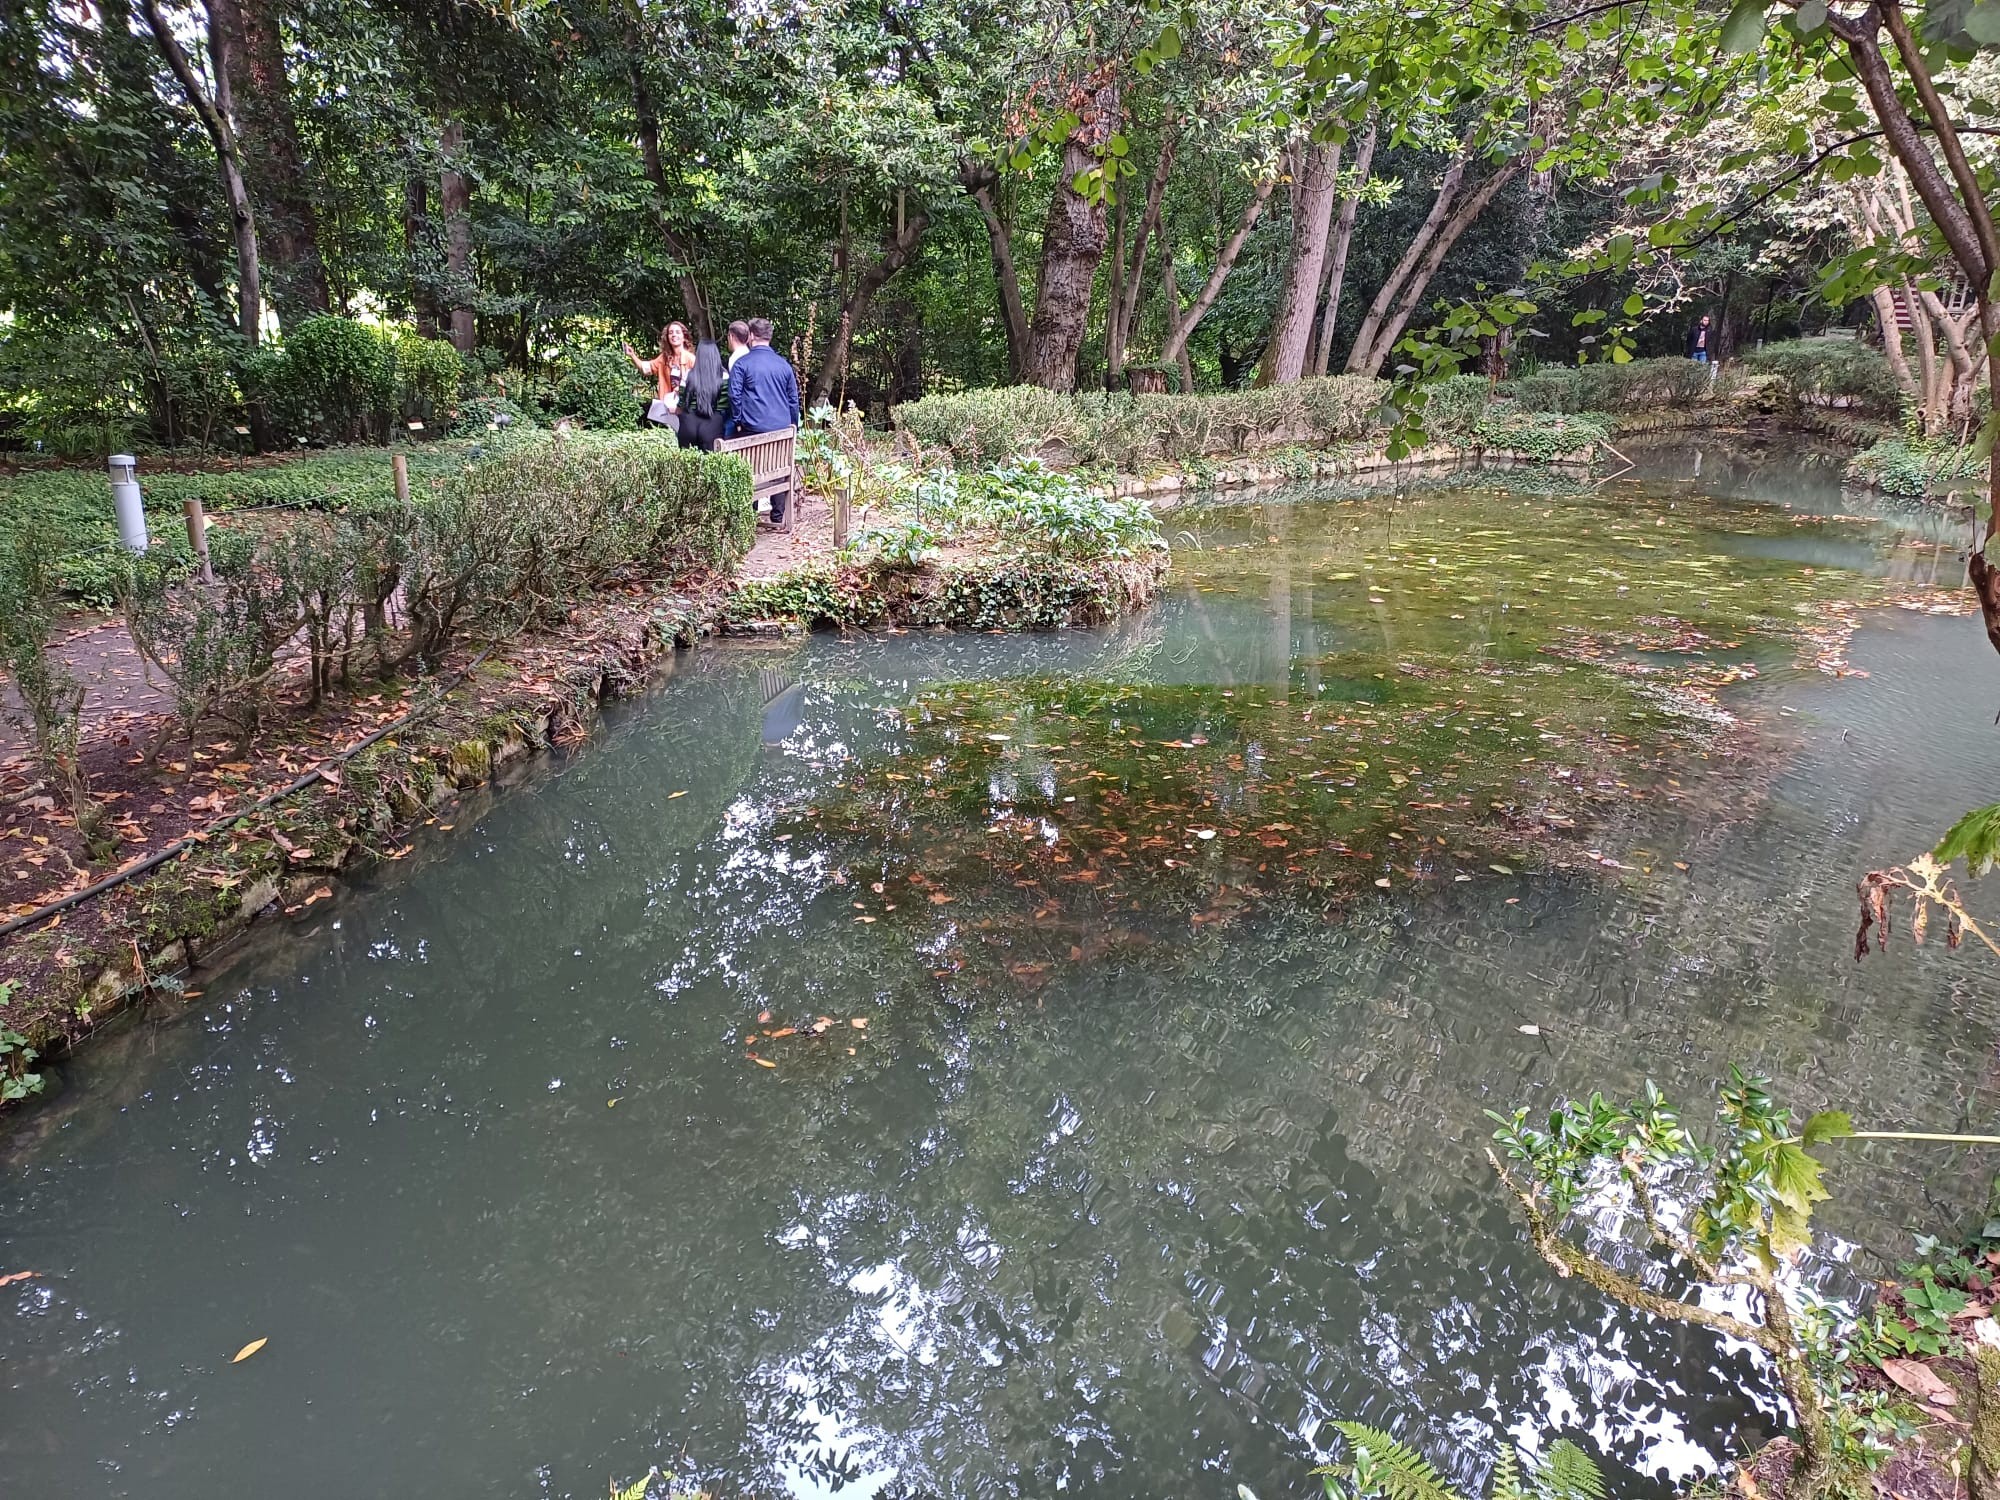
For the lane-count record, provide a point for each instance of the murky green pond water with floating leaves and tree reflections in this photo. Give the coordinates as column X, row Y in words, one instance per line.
column 1189, row 955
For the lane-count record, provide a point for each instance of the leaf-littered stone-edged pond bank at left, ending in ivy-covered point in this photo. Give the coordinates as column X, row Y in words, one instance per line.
column 79, row 959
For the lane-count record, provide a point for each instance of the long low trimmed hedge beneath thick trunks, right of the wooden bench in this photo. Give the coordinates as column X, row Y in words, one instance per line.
column 1117, row 431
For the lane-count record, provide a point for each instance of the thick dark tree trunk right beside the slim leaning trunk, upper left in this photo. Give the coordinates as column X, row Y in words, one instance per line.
column 251, row 57
